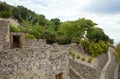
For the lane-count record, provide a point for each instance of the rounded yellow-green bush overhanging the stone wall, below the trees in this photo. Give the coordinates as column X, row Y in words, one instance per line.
column 95, row 48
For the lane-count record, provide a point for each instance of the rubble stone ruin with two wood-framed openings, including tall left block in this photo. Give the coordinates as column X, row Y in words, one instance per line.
column 30, row 59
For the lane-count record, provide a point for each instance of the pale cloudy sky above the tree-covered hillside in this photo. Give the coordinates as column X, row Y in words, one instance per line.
column 106, row 13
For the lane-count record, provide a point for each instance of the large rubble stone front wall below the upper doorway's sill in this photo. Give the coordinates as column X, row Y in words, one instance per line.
column 33, row 63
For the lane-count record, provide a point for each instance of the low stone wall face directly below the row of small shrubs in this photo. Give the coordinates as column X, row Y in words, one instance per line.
column 85, row 71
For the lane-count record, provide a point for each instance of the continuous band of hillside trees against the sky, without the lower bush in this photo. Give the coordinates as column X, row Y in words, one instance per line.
column 40, row 27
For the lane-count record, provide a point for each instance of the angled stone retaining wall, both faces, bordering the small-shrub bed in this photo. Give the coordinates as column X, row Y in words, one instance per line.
column 88, row 72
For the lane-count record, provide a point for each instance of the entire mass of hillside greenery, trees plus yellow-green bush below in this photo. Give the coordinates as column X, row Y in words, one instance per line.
column 54, row 31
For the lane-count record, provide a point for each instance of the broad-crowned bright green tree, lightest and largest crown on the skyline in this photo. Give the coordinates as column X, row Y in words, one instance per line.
column 73, row 29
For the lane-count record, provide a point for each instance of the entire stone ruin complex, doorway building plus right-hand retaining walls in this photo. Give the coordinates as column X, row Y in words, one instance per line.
column 34, row 59
